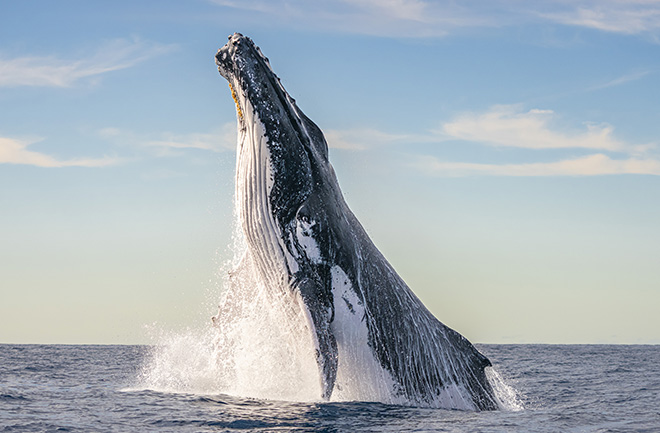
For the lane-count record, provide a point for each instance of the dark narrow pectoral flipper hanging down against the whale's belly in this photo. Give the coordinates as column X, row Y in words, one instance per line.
column 320, row 307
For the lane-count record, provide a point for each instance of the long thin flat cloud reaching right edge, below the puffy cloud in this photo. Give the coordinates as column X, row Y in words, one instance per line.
column 591, row 165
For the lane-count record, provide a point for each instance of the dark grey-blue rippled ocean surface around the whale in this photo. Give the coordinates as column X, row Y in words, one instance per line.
column 563, row 388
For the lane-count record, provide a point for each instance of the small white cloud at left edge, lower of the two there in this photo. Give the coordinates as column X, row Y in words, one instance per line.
column 13, row 151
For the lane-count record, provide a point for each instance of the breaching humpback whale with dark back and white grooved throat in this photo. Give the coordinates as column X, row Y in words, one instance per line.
column 306, row 243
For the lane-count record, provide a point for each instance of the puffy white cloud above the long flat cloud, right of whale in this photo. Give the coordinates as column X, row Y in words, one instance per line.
column 507, row 125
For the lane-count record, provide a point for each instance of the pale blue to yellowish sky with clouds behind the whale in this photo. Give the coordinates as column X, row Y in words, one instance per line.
column 503, row 155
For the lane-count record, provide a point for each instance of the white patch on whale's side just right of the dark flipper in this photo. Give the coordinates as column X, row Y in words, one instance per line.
column 360, row 377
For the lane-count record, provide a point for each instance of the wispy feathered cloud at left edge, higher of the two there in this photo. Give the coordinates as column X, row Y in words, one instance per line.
column 51, row 71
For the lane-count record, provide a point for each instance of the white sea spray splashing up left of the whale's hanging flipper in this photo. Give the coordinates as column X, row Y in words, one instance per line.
column 256, row 346
